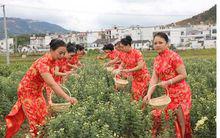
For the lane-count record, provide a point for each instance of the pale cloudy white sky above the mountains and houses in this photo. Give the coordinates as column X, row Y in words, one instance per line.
column 91, row 15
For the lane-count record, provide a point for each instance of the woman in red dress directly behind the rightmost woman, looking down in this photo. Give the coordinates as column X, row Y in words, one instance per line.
column 133, row 64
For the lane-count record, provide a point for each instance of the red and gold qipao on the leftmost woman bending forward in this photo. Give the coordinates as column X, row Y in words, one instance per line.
column 31, row 103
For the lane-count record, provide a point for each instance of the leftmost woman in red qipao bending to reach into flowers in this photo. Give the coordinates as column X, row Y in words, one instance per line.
column 31, row 103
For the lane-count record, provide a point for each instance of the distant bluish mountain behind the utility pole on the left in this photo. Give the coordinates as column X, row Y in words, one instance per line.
column 18, row 26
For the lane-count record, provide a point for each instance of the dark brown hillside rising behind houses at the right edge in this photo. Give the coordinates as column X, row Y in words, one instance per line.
column 207, row 17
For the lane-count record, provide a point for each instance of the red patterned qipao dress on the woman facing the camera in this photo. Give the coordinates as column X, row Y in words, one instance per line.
column 165, row 65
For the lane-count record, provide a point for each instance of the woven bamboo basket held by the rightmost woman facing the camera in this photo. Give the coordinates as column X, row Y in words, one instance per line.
column 160, row 102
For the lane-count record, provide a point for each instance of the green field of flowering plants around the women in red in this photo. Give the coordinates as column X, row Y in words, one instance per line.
column 102, row 113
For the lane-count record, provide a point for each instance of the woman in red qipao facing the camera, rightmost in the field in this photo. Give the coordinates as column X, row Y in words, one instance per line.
column 169, row 72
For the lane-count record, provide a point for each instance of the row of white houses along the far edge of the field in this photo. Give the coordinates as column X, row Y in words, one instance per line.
column 188, row 37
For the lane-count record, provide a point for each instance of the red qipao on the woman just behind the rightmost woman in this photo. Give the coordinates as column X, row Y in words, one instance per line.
column 141, row 77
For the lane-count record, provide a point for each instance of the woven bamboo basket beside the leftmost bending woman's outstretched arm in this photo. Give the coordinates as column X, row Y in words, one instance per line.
column 61, row 107
